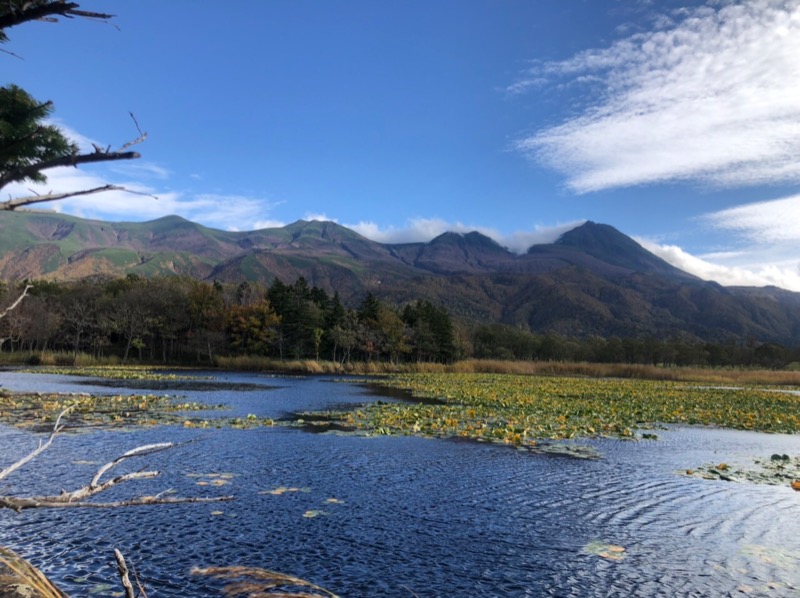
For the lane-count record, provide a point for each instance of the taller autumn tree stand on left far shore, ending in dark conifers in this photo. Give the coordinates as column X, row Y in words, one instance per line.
column 180, row 320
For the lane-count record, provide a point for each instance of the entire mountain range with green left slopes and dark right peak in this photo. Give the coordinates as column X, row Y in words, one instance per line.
column 593, row 280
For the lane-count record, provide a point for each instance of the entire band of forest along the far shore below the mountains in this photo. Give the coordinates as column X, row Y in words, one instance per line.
column 175, row 320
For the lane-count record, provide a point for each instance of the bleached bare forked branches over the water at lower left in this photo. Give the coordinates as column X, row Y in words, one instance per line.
column 77, row 498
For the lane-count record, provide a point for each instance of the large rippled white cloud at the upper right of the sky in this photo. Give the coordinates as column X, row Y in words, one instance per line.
column 711, row 96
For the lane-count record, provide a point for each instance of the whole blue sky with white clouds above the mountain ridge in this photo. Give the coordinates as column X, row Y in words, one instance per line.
column 676, row 122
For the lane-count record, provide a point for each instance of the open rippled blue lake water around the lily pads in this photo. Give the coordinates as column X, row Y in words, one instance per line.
column 412, row 517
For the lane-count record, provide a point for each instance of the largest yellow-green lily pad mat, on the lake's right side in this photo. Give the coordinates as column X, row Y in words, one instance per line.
column 524, row 410
